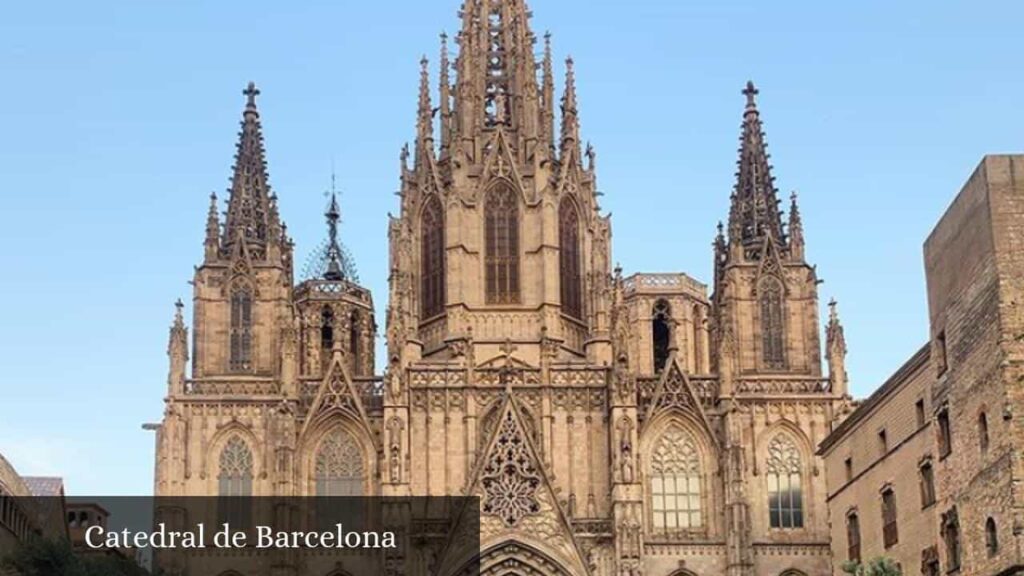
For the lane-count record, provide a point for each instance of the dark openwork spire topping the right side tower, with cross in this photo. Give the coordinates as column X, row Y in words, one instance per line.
column 755, row 212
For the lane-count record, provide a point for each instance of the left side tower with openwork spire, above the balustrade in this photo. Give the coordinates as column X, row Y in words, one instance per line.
column 243, row 287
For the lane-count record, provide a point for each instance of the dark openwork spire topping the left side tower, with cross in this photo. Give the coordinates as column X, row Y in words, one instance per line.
column 249, row 202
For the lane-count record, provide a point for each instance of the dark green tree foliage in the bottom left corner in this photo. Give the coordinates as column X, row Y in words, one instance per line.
column 41, row 557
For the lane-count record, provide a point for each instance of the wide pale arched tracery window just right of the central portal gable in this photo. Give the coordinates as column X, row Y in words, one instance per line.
column 675, row 483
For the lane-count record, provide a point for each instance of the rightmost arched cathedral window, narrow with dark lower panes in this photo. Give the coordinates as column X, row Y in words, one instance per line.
column 786, row 500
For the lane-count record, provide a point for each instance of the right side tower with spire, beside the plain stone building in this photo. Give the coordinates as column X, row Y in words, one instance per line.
column 766, row 300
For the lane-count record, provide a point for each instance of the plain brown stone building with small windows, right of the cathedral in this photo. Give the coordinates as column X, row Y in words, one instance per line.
column 928, row 470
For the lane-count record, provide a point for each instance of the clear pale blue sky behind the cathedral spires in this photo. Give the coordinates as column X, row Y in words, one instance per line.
column 117, row 120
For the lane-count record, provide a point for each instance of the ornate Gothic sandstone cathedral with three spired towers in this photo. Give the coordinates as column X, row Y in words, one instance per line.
column 611, row 425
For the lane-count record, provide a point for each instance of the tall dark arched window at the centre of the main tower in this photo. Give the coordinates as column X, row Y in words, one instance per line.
column 502, row 259
